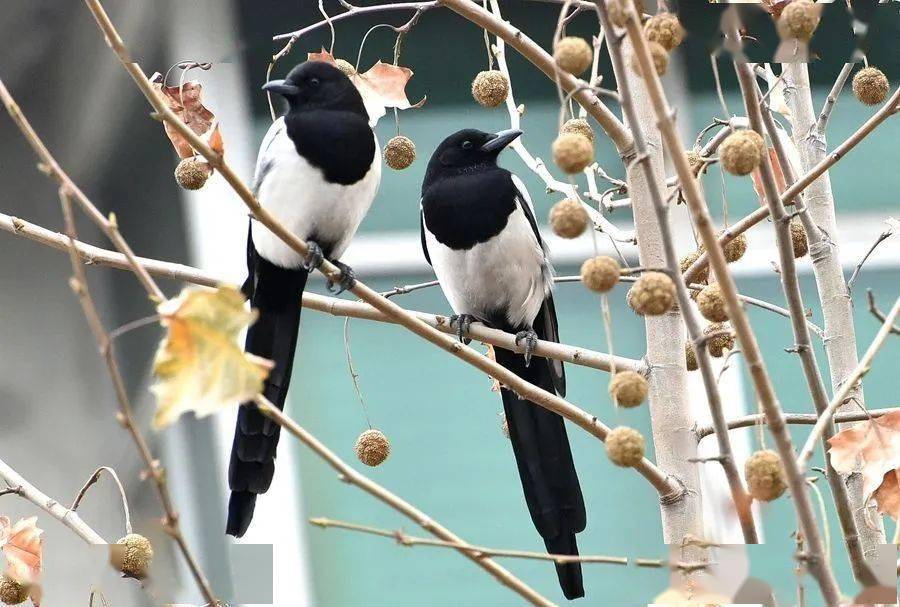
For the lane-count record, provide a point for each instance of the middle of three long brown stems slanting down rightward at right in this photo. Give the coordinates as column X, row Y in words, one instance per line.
column 762, row 382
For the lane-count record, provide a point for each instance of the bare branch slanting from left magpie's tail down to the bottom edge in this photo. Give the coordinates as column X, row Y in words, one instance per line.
column 351, row 476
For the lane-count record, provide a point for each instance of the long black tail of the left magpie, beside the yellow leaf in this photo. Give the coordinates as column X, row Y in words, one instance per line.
column 276, row 293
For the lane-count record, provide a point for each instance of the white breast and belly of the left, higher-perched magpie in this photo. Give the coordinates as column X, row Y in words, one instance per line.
column 298, row 195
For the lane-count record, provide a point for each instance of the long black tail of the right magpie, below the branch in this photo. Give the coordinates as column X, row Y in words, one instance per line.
column 544, row 459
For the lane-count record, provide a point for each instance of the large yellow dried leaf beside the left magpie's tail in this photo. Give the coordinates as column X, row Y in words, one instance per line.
column 199, row 365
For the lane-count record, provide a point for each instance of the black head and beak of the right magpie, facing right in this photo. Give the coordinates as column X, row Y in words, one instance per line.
column 469, row 150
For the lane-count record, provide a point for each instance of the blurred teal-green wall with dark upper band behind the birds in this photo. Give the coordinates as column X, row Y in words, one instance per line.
column 449, row 456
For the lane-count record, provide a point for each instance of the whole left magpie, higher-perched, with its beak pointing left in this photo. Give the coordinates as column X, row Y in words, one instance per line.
column 317, row 172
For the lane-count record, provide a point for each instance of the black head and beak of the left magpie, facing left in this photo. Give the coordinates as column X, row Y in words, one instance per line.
column 317, row 85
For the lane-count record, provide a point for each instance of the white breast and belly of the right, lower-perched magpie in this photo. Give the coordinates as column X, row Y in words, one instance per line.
column 507, row 272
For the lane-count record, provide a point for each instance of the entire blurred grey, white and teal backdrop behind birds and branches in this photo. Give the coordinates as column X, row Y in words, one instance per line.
column 449, row 456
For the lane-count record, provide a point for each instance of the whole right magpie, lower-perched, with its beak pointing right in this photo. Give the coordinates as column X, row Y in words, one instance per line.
column 479, row 233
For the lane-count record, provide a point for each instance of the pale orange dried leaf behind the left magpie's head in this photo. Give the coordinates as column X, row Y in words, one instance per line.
column 382, row 86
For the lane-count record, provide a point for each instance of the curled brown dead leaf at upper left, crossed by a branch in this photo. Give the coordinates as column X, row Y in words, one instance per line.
column 186, row 102
